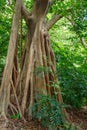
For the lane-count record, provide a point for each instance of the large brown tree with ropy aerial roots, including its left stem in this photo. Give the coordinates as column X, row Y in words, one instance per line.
column 23, row 86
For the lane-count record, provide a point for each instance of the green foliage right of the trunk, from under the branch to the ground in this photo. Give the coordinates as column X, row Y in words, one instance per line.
column 71, row 65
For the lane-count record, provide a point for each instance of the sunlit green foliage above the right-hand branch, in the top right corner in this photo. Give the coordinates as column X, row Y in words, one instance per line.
column 75, row 10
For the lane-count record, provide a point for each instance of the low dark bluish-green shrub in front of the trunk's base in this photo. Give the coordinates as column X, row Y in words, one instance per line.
column 48, row 111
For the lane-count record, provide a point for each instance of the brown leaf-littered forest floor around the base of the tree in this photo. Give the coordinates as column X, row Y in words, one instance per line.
column 78, row 118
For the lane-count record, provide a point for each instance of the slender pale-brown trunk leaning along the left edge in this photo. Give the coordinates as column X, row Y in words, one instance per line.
column 5, row 86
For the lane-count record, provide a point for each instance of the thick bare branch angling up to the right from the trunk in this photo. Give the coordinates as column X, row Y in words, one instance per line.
column 53, row 21
